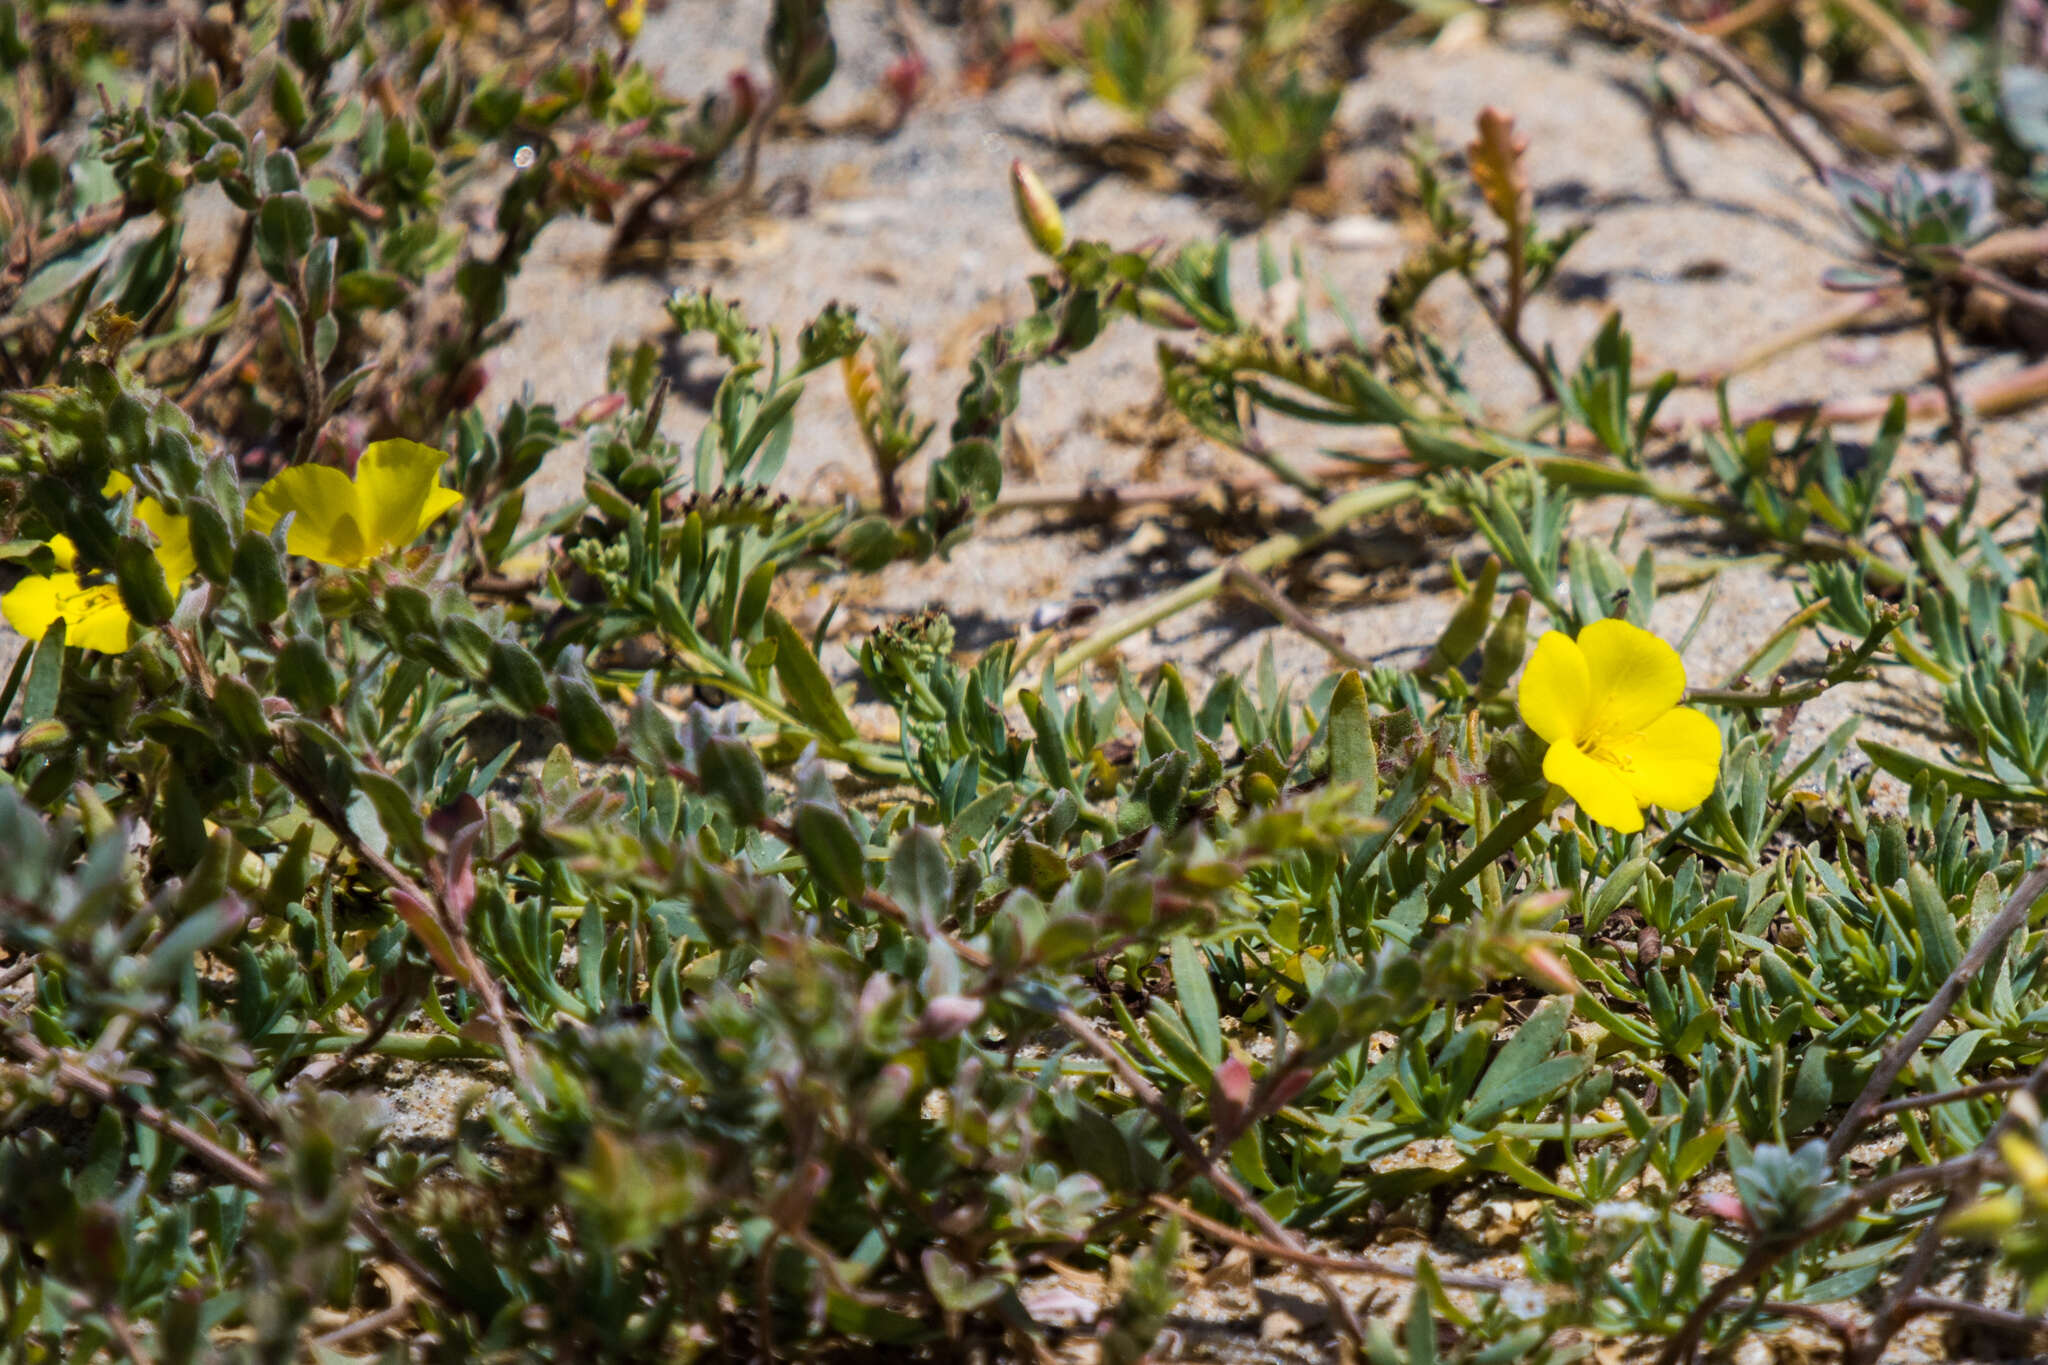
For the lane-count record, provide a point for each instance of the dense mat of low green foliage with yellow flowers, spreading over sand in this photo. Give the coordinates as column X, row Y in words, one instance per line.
column 787, row 1030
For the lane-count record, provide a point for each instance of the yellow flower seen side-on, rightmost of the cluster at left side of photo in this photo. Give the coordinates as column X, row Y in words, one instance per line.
column 349, row 523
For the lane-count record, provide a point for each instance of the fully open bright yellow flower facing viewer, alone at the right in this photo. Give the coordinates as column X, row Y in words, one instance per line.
column 1619, row 740
